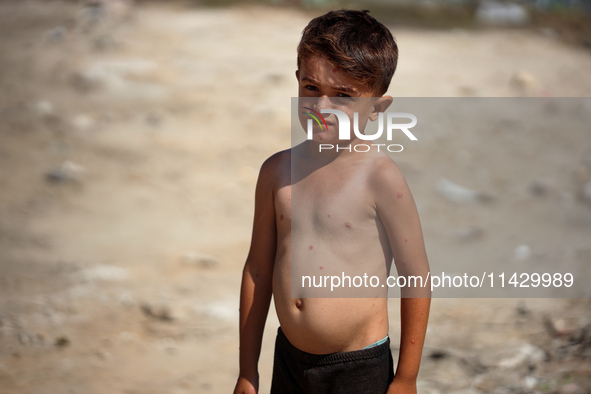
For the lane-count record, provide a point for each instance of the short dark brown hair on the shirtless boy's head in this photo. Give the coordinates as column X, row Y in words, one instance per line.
column 354, row 41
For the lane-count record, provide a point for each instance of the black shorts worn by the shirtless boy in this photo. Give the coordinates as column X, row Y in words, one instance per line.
column 365, row 371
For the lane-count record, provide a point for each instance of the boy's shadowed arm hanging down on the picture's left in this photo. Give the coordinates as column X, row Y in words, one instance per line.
column 256, row 289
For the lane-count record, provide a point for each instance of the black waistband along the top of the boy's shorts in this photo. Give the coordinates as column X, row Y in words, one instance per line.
column 332, row 358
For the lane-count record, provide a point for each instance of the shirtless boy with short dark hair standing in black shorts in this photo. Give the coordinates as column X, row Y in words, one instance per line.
column 353, row 210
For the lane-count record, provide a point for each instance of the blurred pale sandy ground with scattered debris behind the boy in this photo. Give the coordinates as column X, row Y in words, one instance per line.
column 131, row 134
